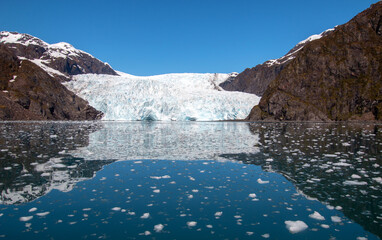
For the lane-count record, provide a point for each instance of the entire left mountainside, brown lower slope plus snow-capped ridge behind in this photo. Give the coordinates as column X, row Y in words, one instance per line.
column 31, row 72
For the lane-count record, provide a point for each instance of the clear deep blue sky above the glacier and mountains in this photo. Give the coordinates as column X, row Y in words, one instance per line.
column 146, row 37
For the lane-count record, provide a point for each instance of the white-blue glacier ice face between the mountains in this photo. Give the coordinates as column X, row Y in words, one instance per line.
column 168, row 97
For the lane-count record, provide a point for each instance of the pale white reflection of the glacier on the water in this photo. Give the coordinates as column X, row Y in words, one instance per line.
column 170, row 141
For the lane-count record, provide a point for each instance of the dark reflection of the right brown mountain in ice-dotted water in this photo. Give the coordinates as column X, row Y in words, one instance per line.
column 334, row 163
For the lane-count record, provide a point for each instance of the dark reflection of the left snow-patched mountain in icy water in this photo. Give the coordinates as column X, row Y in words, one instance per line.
column 33, row 159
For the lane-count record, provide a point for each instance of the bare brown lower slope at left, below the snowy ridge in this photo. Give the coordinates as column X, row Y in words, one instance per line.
column 28, row 92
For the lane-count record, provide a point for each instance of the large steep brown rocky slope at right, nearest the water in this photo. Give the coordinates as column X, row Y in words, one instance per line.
column 335, row 78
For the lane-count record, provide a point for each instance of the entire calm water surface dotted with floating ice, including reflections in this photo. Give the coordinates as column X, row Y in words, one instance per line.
column 134, row 180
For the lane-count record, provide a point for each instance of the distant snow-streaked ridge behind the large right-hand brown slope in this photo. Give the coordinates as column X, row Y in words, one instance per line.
column 256, row 80
